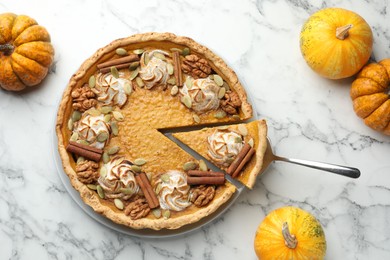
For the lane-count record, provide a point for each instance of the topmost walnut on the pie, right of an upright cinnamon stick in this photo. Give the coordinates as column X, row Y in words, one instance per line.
column 195, row 66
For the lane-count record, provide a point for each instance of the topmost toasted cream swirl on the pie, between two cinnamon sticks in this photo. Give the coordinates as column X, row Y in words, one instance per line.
column 155, row 72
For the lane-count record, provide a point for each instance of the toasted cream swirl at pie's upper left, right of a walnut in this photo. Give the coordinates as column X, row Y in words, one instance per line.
column 110, row 90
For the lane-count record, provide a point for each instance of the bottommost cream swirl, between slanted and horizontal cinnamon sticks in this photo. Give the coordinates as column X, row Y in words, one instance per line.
column 174, row 191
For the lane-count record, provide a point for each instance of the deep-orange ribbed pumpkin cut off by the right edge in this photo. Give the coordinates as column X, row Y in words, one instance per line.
column 370, row 95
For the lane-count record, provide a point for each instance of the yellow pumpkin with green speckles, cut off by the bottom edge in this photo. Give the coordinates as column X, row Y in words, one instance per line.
column 290, row 233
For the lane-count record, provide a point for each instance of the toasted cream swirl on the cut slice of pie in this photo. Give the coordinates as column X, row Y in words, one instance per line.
column 224, row 146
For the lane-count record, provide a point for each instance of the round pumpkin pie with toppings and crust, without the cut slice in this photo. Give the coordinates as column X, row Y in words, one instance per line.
column 108, row 127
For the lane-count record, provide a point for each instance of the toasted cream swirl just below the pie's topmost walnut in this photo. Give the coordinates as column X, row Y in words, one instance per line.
column 203, row 94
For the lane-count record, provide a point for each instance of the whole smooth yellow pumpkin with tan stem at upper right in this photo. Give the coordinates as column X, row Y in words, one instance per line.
column 336, row 43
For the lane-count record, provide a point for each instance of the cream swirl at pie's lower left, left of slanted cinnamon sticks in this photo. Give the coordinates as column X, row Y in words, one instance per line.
column 119, row 182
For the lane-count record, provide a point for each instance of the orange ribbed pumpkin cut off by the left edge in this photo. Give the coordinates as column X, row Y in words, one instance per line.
column 25, row 52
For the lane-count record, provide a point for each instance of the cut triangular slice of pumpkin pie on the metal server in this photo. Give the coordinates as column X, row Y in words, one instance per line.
column 223, row 145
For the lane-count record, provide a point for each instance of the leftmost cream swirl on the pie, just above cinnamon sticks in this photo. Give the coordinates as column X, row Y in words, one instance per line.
column 89, row 127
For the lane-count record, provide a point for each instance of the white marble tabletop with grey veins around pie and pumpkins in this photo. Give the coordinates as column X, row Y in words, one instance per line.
column 309, row 117
